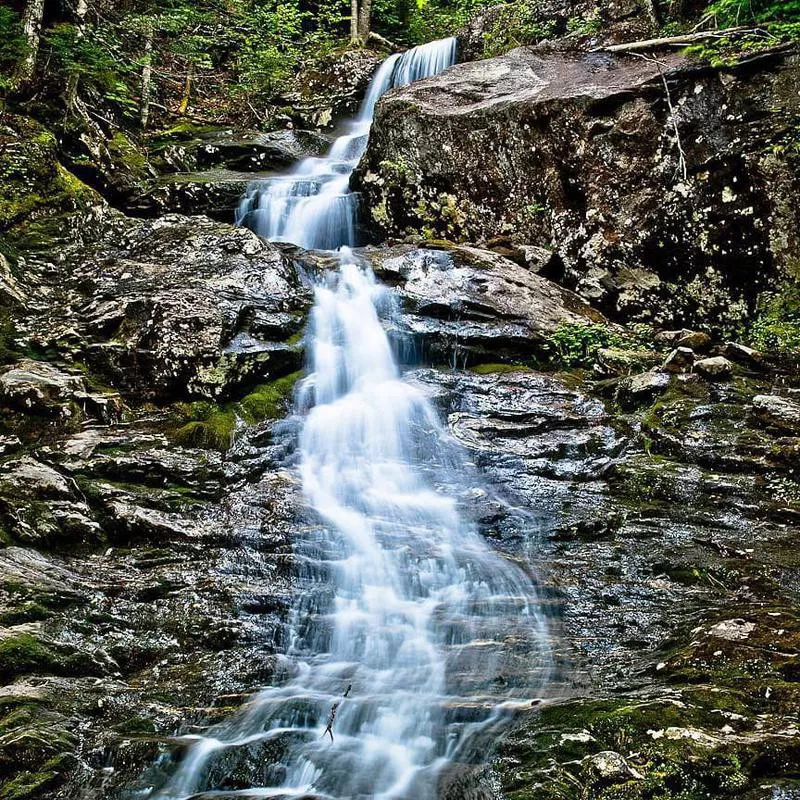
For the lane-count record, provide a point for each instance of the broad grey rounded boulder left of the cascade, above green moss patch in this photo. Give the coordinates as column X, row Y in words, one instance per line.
column 170, row 308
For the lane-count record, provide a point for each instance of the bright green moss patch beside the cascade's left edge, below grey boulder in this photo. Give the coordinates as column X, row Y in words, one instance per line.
column 208, row 425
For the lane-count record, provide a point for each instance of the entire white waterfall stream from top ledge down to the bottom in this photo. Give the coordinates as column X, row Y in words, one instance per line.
column 410, row 637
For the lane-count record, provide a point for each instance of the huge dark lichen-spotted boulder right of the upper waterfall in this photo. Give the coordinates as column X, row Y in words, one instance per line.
column 670, row 205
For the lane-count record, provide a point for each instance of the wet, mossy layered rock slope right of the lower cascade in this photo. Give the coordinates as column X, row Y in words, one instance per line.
column 677, row 627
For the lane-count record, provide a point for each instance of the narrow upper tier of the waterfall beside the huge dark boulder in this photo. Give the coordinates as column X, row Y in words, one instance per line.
column 313, row 206
